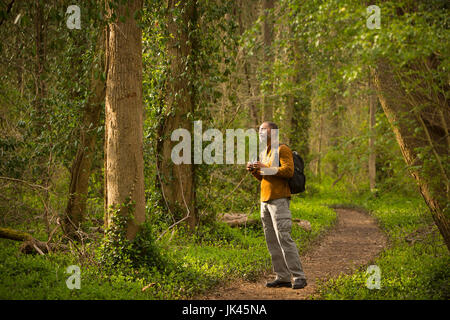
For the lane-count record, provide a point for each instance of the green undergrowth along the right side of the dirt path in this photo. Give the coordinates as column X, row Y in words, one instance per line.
column 414, row 266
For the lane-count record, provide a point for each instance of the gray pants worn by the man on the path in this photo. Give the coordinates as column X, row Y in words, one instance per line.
column 277, row 223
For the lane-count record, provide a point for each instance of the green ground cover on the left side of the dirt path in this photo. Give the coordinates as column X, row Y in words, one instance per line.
column 193, row 263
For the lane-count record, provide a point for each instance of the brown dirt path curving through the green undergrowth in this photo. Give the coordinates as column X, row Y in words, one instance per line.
column 354, row 241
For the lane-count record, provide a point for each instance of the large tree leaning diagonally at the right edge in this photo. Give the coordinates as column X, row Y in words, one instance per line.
column 426, row 154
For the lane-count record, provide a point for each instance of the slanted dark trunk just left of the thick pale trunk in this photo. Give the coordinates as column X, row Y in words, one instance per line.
column 81, row 167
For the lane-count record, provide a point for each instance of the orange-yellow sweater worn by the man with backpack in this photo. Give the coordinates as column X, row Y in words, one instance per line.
column 276, row 186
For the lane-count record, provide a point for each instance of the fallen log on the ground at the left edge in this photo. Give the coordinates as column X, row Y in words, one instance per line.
column 30, row 244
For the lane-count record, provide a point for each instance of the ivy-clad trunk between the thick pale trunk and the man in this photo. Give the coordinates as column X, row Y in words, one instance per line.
column 177, row 181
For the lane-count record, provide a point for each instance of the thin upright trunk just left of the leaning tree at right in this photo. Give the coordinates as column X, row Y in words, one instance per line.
column 372, row 122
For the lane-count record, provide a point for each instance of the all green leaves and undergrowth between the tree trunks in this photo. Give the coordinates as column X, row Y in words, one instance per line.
column 322, row 51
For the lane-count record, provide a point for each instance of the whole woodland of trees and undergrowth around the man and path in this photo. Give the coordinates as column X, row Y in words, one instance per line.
column 366, row 108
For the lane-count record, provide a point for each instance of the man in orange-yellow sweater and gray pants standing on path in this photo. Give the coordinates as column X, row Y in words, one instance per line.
column 275, row 214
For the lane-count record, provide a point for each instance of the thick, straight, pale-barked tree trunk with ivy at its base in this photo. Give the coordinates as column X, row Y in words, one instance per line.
column 124, row 162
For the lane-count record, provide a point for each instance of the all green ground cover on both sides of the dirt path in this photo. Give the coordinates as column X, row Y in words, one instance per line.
column 214, row 254
